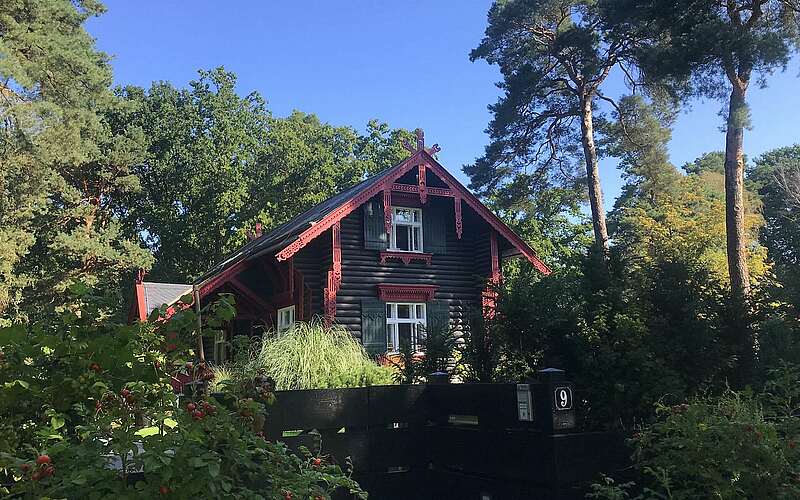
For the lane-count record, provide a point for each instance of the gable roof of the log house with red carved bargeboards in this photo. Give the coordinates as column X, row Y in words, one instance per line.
column 289, row 237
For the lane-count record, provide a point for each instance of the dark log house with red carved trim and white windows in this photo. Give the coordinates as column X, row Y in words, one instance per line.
column 388, row 257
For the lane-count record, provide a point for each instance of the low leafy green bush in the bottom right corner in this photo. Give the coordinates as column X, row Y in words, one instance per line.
column 736, row 445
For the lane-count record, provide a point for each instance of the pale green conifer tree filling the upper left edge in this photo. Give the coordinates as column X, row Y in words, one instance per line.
column 66, row 149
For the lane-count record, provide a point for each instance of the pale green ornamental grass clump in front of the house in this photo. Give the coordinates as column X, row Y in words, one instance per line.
column 313, row 356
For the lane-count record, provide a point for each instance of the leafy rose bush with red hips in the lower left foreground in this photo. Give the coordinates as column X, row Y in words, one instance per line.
column 87, row 410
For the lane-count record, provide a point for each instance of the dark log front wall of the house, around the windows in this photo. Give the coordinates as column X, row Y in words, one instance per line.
column 460, row 272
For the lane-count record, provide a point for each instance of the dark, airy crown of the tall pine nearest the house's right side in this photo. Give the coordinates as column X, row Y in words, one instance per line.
column 554, row 55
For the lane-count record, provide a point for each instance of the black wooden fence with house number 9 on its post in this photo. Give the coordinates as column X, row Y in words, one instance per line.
column 451, row 441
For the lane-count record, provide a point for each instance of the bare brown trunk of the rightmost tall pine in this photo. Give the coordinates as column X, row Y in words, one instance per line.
column 734, row 193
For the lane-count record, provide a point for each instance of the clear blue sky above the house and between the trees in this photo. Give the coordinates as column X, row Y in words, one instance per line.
column 406, row 63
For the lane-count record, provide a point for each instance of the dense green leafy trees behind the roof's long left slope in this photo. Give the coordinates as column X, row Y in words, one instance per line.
column 247, row 166
